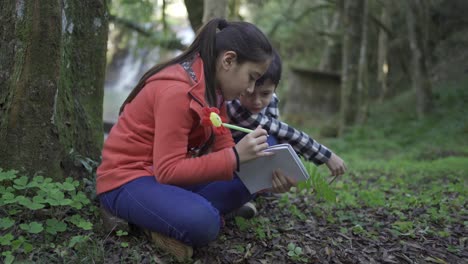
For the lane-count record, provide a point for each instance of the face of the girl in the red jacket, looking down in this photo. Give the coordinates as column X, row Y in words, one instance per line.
column 233, row 78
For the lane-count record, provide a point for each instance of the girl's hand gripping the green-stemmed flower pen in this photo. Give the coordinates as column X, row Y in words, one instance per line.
column 253, row 145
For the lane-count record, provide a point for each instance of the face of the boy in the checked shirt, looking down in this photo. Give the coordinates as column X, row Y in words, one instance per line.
column 260, row 98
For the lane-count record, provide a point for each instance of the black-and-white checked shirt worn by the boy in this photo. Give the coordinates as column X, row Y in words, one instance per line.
column 268, row 119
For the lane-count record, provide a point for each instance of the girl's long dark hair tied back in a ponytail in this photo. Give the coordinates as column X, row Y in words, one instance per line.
column 216, row 36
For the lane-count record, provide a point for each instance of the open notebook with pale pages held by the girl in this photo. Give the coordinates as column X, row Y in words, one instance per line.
column 257, row 174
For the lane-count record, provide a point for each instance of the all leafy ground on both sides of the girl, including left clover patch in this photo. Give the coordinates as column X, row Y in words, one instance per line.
column 403, row 200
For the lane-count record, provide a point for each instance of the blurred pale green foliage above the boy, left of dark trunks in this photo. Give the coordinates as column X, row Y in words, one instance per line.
column 293, row 23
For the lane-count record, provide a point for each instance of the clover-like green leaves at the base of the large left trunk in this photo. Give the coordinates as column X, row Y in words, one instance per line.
column 37, row 213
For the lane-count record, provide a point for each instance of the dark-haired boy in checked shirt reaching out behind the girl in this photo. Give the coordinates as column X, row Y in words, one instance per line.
column 261, row 108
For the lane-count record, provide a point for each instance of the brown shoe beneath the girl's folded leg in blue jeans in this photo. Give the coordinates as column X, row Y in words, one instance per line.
column 179, row 250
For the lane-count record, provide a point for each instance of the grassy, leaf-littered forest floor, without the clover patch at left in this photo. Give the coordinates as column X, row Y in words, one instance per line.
column 404, row 199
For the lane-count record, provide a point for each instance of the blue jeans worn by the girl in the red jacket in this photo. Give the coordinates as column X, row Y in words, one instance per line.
column 188, row 214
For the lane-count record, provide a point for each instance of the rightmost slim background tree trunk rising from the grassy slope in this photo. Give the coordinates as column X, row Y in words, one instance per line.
column 417, row 38
